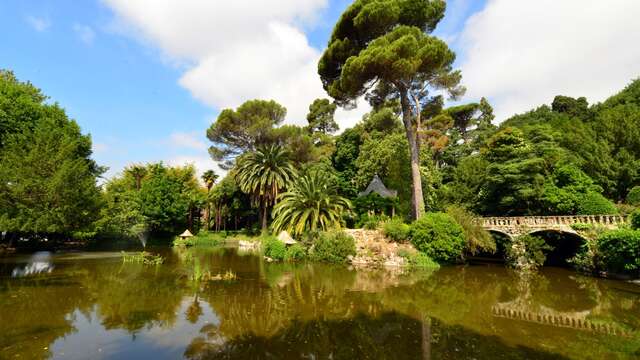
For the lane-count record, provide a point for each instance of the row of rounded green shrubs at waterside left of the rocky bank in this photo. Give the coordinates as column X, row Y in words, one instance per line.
column 326, row 246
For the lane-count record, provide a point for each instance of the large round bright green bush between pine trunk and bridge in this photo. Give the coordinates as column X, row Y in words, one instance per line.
column 439, row 236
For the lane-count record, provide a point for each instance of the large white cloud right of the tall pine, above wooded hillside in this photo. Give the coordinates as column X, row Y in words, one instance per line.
column 521, row 53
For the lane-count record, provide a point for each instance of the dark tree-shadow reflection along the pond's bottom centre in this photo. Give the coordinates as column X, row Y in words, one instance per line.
column 389, row 335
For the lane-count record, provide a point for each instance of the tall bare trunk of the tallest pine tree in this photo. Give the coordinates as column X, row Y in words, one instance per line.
column 417, row 198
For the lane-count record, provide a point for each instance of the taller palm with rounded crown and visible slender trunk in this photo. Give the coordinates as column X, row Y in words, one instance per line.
column 263, row 174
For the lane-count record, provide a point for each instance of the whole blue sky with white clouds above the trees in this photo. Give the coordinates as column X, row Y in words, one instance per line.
column 146, row 81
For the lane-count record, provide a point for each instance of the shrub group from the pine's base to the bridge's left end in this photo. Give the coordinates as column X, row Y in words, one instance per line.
column 442, row 236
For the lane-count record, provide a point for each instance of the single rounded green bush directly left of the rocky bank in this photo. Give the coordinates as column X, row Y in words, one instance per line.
column 333, row 247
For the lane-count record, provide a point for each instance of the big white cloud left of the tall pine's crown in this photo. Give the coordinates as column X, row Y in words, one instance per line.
column 234, row 50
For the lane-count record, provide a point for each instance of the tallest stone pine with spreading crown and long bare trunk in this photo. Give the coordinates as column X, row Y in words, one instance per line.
column 382, row 49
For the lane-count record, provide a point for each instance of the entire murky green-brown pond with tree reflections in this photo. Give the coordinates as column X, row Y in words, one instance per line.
column 92, row 305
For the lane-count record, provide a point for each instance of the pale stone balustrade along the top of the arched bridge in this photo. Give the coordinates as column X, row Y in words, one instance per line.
column 524, row 225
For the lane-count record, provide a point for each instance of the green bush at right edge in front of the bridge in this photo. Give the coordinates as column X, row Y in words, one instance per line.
column 619, row 250
